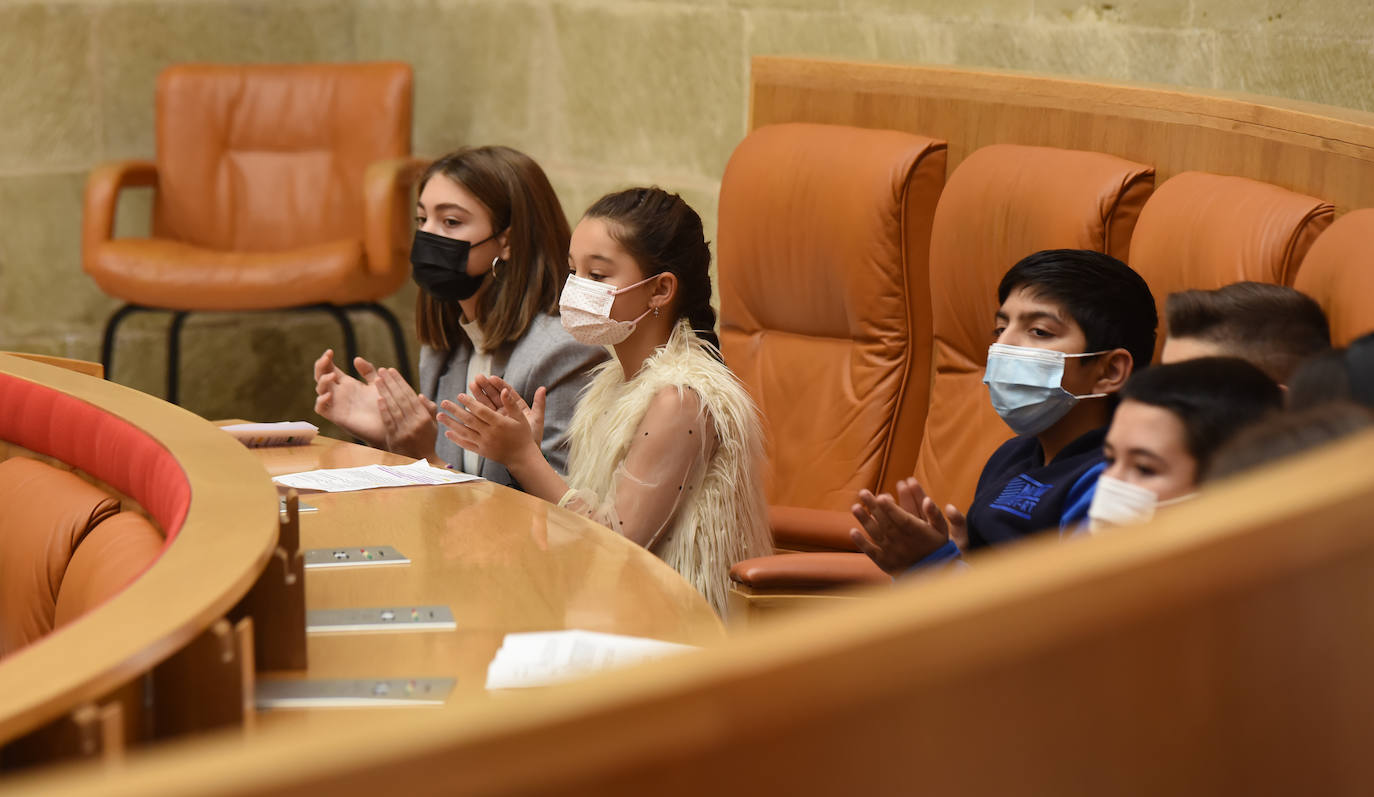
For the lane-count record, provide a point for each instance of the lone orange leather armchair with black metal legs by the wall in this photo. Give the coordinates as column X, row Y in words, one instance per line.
column 277, row 188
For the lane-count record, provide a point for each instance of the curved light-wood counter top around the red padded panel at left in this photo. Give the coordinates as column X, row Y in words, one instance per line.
column 229, row 534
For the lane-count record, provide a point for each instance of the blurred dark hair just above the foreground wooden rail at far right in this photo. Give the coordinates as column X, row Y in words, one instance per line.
column 1288, row 434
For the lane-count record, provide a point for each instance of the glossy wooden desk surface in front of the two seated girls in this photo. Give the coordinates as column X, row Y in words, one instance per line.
column 504, row 563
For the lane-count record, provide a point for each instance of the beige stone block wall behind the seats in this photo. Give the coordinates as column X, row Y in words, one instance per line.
column 604, row 94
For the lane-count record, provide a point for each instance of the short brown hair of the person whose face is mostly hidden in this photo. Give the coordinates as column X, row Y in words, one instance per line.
column 1273, row 326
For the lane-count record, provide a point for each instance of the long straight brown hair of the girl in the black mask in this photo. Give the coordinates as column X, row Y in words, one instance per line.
column 517, row 194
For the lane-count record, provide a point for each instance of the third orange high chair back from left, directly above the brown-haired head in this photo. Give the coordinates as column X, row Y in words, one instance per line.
column 1204, row 232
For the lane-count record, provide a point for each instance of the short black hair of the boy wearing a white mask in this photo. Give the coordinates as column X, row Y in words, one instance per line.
column 1214, row 398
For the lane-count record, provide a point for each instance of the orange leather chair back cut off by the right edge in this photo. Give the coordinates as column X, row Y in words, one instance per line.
column 1339, row 273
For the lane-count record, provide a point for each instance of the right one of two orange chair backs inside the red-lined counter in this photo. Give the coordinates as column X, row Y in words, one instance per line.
column 111, row 559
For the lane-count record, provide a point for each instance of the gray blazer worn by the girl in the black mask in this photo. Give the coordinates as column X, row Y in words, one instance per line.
column 545, row 357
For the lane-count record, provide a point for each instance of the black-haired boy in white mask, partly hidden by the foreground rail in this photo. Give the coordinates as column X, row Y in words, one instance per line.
column 1173, row 420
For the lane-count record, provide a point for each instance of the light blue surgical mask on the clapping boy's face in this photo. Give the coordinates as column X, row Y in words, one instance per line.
column 1027, row 387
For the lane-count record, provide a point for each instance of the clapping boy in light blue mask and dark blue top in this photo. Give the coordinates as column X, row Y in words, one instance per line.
column 1071, row 328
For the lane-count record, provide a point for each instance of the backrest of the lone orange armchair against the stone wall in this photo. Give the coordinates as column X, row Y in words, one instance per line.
column 270, row 157
